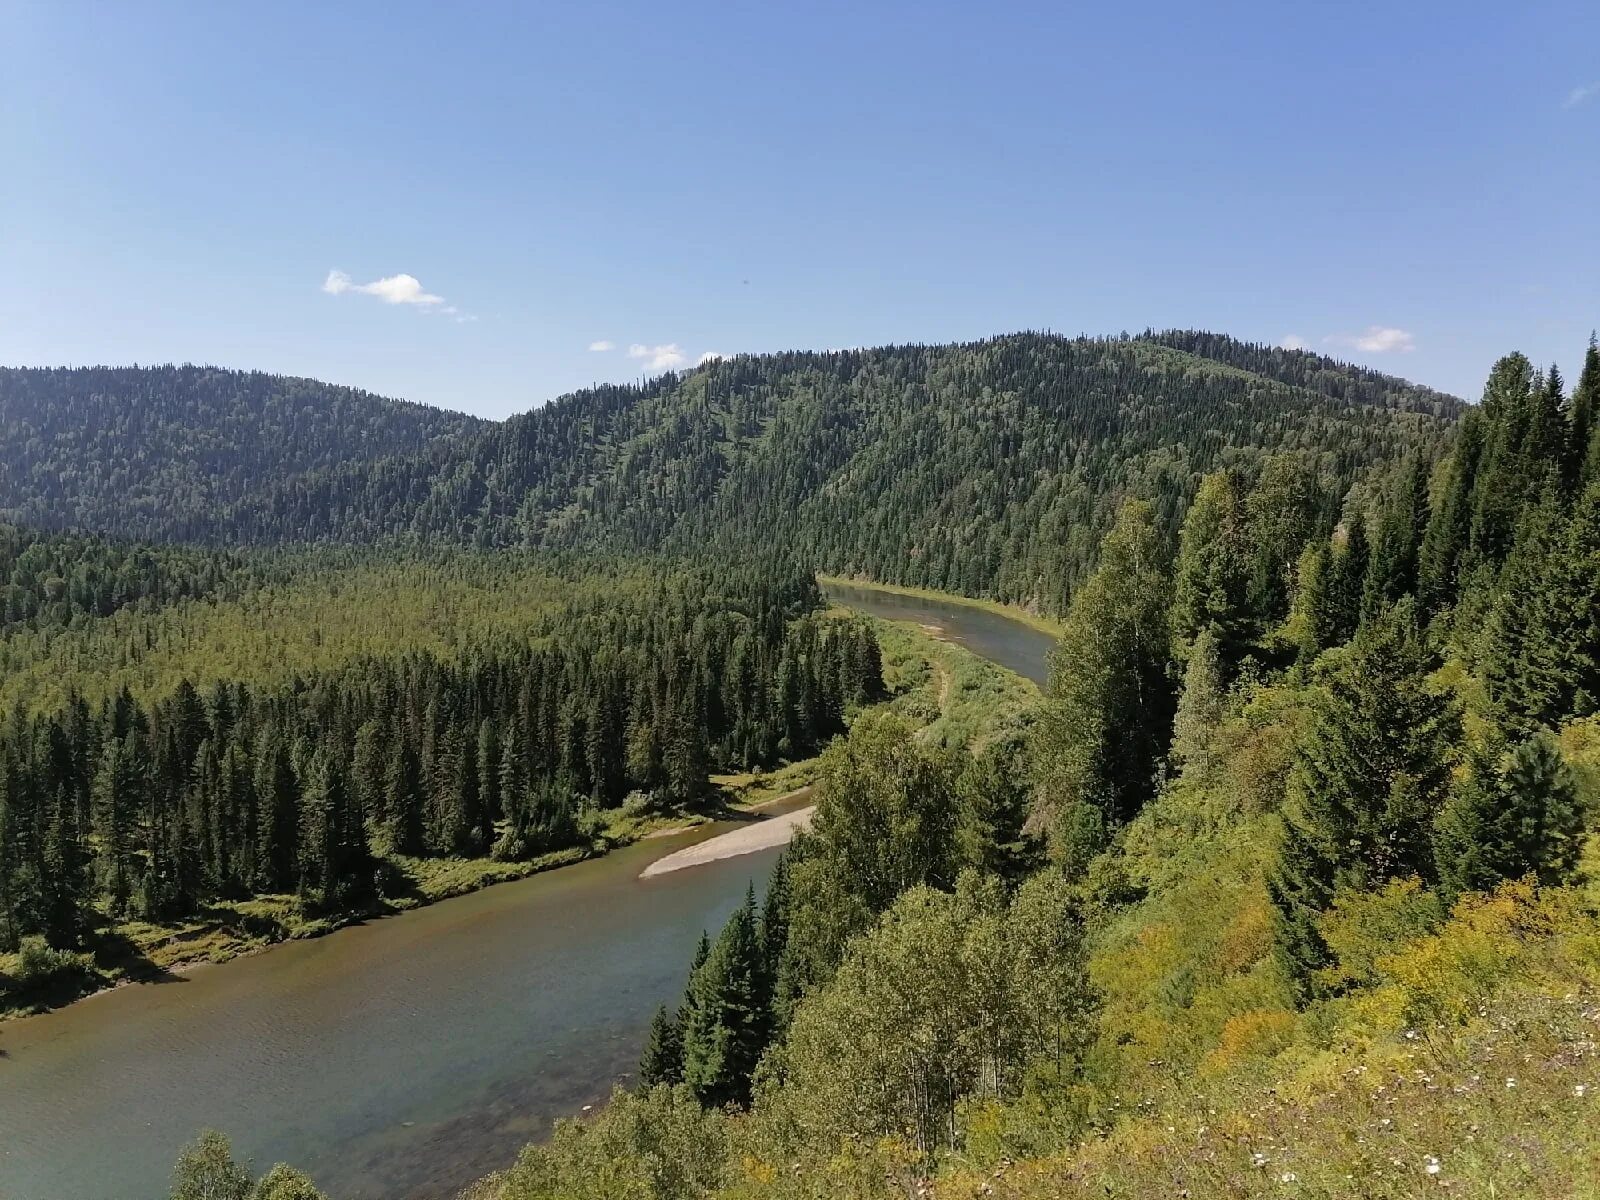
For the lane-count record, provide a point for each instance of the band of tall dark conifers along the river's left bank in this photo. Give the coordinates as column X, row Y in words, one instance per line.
column 153, row 809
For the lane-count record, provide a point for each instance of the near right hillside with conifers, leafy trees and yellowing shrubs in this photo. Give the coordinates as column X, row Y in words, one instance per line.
column 1289, row 890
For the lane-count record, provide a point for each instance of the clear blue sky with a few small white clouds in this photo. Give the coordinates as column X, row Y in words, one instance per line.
column 1415, row 186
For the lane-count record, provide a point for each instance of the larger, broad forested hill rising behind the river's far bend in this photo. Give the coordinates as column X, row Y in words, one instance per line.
column 982, row 468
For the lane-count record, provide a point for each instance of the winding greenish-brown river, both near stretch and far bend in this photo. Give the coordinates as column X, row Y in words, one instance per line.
column 401, row 1058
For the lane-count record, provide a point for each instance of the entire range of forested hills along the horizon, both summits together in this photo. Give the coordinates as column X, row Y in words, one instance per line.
column 983, row 468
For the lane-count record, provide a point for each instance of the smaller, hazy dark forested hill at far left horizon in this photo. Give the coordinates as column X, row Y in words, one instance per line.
column 151, row 450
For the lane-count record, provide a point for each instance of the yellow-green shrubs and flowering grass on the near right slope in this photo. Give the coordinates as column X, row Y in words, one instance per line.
column 1458, row 1052
